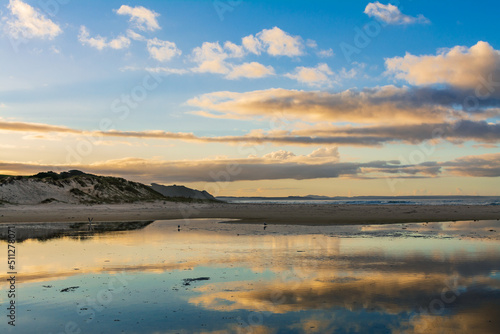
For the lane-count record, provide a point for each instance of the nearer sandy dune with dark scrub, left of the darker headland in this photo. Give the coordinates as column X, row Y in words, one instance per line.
column 73, row 187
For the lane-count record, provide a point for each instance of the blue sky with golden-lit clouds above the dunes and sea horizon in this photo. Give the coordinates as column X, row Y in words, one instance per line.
column 256, row 98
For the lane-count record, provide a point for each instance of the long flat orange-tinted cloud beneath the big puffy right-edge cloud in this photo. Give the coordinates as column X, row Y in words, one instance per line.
column 371, row 105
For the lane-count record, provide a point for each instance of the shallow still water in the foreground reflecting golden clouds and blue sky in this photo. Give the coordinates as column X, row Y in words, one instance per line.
column 210, row 277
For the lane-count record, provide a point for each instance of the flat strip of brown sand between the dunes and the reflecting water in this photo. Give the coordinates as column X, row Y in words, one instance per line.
column 307, row 214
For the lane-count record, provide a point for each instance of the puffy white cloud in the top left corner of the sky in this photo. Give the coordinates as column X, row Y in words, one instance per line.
column 26, row 22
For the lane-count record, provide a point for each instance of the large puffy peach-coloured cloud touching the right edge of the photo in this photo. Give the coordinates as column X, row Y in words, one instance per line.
column 475, row 68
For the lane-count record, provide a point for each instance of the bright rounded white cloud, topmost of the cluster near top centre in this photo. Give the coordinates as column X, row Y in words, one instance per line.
column 279, row 43
